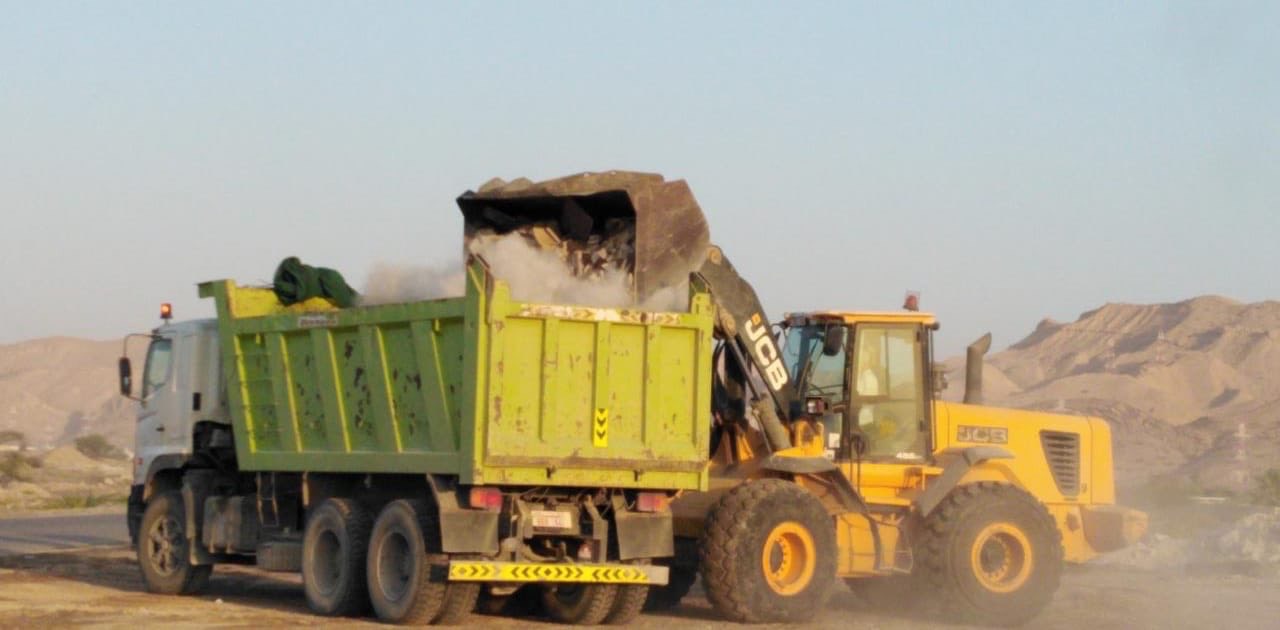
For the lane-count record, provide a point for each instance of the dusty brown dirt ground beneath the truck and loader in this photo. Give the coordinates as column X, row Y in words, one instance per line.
column 102, row 588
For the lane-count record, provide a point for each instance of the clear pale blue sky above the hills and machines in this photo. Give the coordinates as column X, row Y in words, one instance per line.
column 1009, row 161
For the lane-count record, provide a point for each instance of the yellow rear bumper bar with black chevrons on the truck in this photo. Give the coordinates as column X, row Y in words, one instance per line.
column 468, row 570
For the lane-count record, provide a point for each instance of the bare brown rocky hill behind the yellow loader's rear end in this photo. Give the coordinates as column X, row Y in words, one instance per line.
column 1192, row 389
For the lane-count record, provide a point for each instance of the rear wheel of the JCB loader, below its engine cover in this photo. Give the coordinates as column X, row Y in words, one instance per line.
column 993, row 554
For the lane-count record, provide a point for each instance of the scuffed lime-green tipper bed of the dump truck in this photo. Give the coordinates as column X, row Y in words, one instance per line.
column 483, row 387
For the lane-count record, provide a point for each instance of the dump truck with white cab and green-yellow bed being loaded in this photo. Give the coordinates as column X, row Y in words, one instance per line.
column 406, row 456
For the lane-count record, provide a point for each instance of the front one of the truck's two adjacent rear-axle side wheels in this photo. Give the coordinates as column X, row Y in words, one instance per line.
column 333, row 559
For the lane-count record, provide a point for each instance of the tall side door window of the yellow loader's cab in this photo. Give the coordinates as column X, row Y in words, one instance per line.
column 889, row 391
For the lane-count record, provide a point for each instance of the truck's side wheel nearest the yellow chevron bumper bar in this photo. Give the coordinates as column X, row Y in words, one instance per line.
column 403, row 587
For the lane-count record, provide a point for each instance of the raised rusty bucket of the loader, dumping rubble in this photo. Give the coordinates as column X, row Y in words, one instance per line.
column 653, row 226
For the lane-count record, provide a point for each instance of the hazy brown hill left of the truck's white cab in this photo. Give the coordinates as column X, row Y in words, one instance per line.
column 57, row 390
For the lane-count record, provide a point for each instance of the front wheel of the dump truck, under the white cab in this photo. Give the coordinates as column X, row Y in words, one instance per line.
column 164, row 556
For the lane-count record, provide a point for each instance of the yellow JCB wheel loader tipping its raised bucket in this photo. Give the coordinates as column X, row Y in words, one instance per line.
column 834, row 455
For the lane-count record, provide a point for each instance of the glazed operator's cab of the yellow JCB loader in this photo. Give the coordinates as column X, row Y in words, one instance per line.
column 866, row 376
